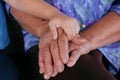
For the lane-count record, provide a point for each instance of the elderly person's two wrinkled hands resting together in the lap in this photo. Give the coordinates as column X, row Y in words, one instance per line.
column 54, row 54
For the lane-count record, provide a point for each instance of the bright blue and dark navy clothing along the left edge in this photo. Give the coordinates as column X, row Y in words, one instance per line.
column 8, row 69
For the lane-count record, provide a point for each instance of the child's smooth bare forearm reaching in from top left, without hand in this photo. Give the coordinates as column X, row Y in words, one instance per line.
column 38, row 8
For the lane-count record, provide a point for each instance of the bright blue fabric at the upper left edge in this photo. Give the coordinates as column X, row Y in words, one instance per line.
column 4, row 39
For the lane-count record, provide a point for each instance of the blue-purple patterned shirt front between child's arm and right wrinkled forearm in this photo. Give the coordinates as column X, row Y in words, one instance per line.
column 86, row 12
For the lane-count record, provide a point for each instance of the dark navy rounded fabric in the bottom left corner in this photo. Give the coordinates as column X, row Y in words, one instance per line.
column 8, row 69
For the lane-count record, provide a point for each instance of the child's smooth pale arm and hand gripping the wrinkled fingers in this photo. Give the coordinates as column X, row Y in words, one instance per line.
column 42, row 9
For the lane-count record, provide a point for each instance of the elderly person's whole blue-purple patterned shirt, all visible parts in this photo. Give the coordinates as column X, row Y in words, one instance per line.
column 87, row 12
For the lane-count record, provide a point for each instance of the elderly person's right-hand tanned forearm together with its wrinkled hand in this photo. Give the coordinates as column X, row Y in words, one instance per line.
column 96, row 36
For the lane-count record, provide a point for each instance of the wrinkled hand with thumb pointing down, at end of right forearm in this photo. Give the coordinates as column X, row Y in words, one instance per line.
column 79, row 45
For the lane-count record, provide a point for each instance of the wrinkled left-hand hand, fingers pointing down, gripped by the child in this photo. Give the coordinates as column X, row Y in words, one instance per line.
column 51, row 55
